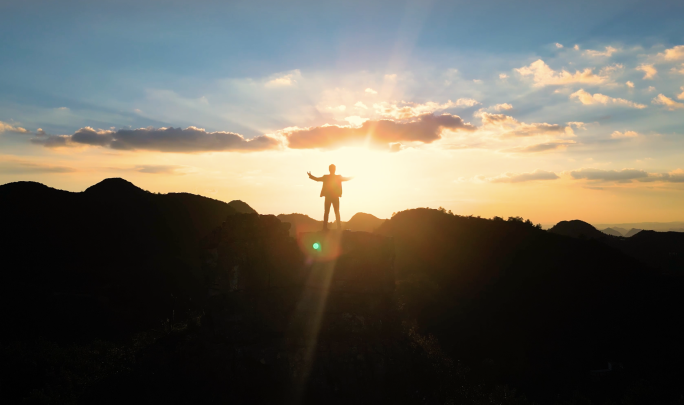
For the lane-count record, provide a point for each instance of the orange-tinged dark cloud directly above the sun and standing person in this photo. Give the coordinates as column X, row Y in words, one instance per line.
column 426, row 129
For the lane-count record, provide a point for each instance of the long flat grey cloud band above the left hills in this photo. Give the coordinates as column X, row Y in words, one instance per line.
column 188, row 140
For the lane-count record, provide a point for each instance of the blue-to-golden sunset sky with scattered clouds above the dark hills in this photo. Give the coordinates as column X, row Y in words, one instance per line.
column 546, row 110
